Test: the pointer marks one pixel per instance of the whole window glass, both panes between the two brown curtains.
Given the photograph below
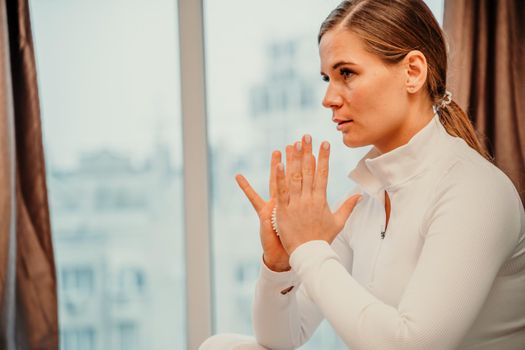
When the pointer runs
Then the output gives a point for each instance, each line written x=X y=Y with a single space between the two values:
x=109 y=87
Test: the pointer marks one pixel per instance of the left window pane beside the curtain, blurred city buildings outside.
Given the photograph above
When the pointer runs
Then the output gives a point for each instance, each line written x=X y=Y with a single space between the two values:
x=109 y=86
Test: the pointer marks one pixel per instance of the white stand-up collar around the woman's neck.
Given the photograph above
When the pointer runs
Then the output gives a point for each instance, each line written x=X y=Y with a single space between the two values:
x=376 y=172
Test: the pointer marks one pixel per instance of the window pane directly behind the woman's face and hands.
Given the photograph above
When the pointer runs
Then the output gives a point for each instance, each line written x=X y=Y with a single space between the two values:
x=264 y=91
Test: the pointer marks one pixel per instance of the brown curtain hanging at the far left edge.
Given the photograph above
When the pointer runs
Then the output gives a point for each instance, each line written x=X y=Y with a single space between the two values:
x=27 y=269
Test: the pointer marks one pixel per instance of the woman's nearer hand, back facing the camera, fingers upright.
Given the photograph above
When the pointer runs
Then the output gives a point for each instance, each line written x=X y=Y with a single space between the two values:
x=303 y=213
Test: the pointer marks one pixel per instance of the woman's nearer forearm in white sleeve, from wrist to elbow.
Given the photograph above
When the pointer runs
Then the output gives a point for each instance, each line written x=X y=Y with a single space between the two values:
x=360 y=319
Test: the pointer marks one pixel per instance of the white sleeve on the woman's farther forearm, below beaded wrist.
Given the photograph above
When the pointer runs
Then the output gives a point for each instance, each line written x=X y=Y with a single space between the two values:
x=286 y=321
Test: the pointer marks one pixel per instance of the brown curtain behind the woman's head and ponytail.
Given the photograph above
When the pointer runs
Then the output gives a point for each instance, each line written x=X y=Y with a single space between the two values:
x=487 y=75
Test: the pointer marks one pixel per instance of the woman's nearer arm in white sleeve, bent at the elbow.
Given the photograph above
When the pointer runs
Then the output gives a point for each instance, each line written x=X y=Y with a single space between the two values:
x=469 y=233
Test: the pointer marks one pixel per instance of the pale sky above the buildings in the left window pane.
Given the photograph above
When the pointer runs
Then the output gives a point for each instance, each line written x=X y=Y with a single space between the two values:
x=108 y=75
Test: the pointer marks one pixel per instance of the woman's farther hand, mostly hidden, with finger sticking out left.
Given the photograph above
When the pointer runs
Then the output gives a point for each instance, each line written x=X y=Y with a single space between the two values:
x=274 y=255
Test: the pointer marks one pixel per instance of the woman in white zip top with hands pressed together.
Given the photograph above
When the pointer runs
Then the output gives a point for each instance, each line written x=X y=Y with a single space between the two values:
x=430 y=251
